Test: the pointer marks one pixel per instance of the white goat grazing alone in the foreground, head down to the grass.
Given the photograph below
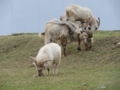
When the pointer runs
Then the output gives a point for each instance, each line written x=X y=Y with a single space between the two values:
x=47 y=55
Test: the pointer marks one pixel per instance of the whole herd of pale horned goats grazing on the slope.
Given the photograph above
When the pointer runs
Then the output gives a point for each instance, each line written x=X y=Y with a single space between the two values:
x=76 y=24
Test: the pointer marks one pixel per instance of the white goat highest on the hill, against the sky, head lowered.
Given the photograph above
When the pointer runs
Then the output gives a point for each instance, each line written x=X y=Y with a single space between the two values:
x=75 y=12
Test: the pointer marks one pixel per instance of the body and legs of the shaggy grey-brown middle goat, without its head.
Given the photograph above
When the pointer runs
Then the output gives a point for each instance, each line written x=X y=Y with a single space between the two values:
x=65 y=31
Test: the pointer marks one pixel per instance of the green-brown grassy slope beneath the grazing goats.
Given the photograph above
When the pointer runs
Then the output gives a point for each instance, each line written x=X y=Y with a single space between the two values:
x=95 y=69
